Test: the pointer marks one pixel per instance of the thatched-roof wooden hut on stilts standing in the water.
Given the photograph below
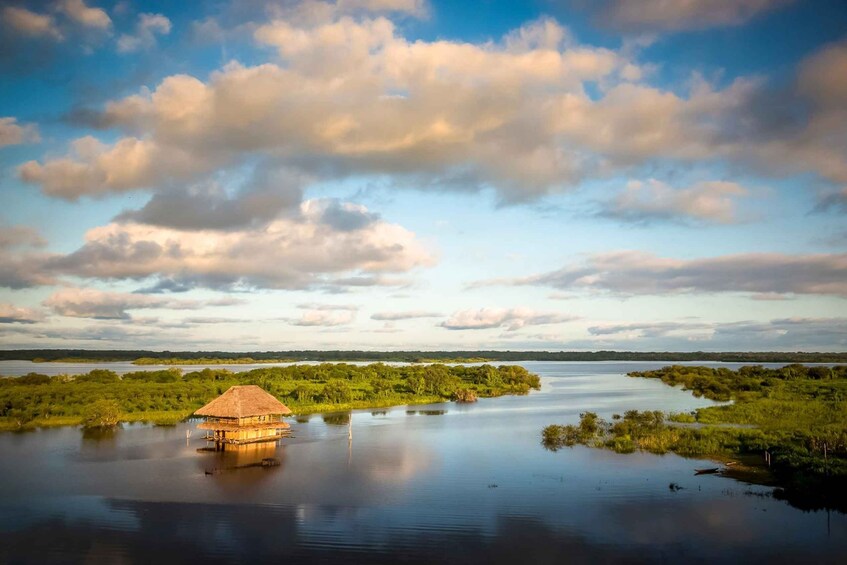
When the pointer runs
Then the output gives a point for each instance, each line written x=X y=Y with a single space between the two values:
x=244 y=414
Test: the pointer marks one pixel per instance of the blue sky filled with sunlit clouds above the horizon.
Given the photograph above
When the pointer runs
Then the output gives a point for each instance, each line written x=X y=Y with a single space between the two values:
x=643 y=175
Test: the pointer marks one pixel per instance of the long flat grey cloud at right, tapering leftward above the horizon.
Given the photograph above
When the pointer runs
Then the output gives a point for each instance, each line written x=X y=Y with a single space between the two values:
x=634 y=272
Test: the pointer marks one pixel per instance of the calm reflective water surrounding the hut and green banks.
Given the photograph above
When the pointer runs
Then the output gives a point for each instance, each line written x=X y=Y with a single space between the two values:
x=439 y=483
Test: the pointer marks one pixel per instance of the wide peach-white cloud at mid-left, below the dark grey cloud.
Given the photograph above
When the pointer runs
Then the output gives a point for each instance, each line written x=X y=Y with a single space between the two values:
x=291 y=252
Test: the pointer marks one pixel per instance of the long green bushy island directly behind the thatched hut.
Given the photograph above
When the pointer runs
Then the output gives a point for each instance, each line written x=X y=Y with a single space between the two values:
x=168 y=396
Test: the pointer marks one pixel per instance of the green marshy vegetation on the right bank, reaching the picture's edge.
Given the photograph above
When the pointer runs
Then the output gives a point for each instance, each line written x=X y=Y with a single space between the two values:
x=784 y=427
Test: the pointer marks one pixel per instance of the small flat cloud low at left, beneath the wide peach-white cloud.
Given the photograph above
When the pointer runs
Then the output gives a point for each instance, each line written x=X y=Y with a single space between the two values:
x=103 y=305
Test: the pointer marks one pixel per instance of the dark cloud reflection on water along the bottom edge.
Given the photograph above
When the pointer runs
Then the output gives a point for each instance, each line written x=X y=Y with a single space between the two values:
x=221 y=533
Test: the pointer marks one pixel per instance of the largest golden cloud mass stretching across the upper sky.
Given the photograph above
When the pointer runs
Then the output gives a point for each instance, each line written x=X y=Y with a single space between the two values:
x=354 y=96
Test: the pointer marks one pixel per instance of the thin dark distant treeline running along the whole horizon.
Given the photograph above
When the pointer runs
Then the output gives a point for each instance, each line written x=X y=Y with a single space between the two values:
x=418 y=356
